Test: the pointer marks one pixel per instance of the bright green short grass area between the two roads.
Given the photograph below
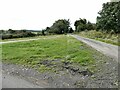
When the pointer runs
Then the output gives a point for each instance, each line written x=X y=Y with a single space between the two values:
x=31 y=53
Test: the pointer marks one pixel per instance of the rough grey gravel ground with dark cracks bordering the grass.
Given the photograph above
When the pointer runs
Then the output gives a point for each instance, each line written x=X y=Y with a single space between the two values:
x=70 y=75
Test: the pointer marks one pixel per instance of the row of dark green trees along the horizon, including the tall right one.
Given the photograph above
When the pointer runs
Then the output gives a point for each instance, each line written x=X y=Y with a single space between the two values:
x=107 y=21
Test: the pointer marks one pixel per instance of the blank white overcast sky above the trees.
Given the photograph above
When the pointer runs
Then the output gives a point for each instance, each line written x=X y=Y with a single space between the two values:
x=39 y=14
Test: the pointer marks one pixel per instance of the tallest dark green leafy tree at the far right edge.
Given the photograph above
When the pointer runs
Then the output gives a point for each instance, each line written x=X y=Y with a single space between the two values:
x=109 y=17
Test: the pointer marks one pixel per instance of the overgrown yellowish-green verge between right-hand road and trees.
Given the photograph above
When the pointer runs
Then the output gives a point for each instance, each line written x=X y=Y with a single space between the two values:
x=101 y=36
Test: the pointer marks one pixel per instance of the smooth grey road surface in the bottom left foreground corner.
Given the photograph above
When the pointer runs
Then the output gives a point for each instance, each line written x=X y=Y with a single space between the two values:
x=9 y=81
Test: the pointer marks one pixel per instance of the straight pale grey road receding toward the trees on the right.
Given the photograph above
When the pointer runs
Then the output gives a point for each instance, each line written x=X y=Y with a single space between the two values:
x=107 y=49
